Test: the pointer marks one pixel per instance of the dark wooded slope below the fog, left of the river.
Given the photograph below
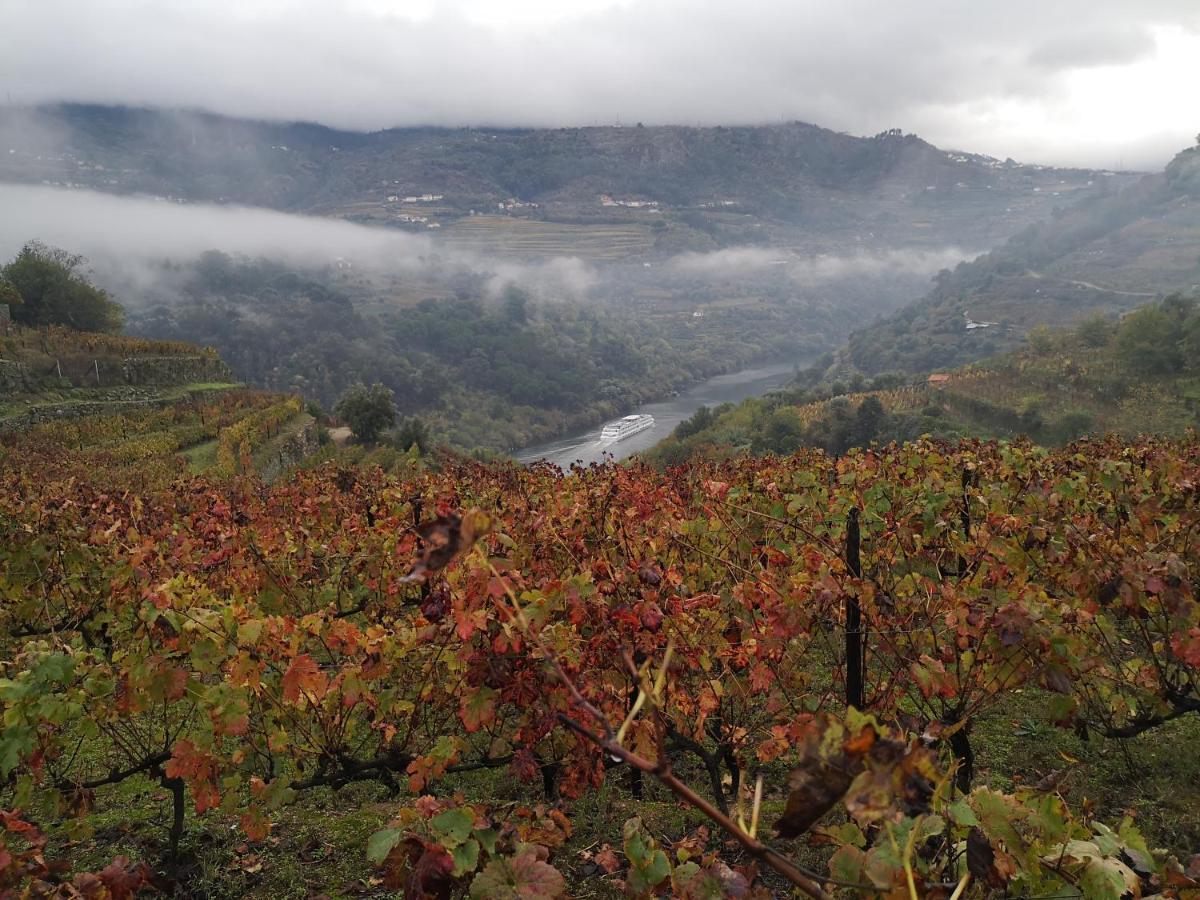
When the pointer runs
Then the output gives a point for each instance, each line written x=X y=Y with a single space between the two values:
x=485 y=374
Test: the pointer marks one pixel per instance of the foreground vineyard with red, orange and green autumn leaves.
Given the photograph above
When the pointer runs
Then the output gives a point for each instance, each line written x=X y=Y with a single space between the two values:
x=515 y=683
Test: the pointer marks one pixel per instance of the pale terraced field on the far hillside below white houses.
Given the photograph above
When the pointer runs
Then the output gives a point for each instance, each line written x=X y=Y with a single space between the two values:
x=523 y=237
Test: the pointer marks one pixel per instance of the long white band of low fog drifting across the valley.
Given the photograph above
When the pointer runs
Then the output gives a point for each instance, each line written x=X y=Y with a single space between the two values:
x=129 y=241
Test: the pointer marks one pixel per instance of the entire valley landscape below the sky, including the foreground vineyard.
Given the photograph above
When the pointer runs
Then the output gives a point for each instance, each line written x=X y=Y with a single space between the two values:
x=897 y=598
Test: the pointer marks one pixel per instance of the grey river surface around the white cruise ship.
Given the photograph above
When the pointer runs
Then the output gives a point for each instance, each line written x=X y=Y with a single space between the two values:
x=587 y=448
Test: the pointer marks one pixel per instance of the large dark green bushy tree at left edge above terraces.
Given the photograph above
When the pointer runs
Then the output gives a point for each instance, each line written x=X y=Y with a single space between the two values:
x=55 y=292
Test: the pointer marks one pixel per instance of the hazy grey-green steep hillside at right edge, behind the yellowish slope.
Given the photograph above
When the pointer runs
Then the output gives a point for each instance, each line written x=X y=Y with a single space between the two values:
x=1107 y=255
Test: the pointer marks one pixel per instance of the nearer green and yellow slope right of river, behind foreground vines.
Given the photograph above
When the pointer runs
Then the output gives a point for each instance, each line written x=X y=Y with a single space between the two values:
x=1133 y=376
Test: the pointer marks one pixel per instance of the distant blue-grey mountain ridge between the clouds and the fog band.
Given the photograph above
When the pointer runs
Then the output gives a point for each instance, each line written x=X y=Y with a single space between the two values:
x=799 y=184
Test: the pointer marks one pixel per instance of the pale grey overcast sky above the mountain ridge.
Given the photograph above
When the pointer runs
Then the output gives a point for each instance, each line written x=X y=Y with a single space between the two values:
x=1089 y=82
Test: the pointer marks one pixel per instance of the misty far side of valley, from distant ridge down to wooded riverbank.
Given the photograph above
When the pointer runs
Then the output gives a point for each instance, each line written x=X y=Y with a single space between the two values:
x=695 y=266
